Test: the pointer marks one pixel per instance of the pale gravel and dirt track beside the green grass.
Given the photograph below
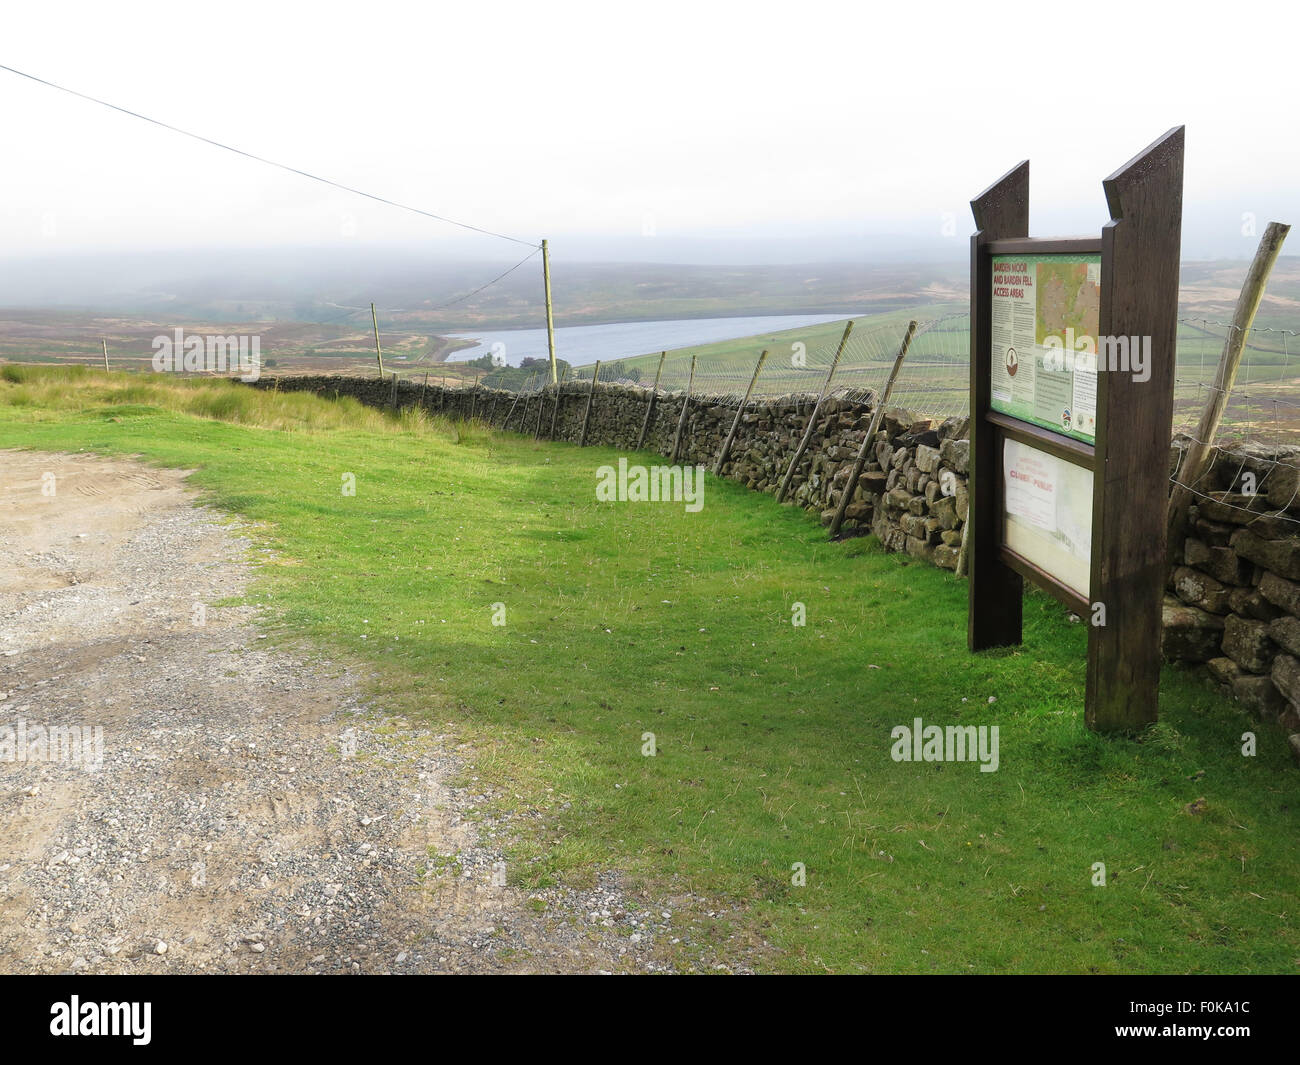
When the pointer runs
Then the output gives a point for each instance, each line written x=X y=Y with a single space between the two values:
x=242 y=808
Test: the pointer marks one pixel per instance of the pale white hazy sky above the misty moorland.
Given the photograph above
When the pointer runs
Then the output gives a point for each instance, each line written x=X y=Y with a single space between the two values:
x=600 y=124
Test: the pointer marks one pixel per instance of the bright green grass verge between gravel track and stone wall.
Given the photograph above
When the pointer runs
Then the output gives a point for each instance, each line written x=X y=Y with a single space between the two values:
x=773 y=741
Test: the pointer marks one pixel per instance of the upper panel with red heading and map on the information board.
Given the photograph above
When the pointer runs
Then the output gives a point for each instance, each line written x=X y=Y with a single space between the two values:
x=1046 y=319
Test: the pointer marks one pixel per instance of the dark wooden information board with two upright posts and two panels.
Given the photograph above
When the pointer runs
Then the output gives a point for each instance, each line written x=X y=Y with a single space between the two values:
x=1073 y=347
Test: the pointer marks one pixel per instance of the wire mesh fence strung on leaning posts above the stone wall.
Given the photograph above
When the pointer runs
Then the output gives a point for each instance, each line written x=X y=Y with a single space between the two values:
x=1251 y=473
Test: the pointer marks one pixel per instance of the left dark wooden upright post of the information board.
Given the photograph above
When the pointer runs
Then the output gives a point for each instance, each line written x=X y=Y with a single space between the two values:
x=995 y=590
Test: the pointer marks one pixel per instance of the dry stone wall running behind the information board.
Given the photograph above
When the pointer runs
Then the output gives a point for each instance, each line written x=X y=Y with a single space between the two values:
x=1234 y=594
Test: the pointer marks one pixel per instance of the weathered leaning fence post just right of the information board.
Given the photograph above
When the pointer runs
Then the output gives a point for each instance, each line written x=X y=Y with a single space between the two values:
x=1234 y=345
